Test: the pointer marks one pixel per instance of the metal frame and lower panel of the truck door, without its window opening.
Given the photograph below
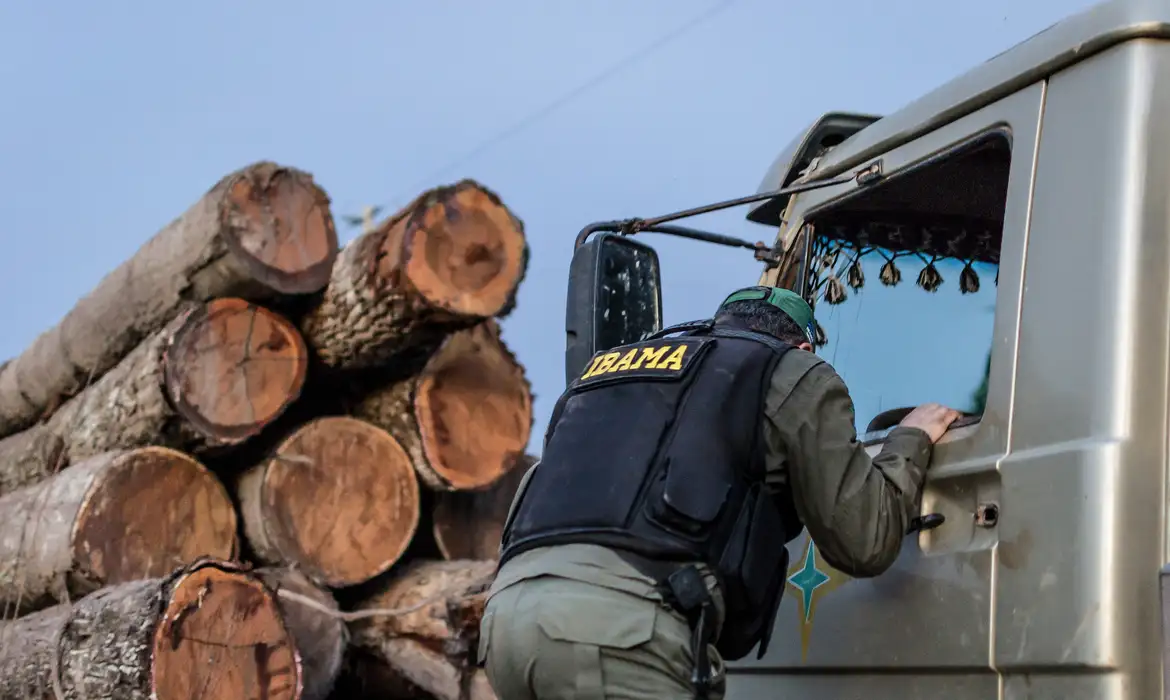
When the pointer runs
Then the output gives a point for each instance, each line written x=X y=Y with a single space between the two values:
x=891 y=623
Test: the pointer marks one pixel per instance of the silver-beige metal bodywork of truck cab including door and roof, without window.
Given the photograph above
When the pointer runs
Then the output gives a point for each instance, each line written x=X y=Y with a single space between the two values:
x=1062 y=598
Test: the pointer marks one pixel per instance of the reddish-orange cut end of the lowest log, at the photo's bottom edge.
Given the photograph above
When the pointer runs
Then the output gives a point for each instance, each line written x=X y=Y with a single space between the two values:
x=223 y=637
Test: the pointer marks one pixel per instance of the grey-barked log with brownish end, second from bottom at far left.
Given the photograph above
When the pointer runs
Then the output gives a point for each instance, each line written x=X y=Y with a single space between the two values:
x=115 y=518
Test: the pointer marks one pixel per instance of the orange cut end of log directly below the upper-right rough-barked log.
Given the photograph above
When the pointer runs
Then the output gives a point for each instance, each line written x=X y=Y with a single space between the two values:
x=474 y=410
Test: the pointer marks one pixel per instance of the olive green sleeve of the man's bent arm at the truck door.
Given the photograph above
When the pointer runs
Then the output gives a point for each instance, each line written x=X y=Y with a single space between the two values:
x=856 y=509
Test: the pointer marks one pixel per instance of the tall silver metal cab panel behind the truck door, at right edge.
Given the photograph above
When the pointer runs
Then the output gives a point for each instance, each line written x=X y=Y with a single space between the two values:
x=1086 y=477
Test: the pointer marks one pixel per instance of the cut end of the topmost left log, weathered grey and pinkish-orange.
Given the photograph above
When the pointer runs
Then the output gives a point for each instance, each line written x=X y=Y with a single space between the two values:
x=279 y=224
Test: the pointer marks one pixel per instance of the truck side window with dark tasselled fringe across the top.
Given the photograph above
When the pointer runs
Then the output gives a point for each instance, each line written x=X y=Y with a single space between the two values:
x=903 y=278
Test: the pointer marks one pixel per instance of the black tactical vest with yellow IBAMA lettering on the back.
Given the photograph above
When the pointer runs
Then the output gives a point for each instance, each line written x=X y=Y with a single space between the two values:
x=657 y=449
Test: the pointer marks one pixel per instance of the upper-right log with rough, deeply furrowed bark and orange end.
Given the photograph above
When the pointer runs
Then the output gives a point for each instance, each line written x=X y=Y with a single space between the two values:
x=451 y=259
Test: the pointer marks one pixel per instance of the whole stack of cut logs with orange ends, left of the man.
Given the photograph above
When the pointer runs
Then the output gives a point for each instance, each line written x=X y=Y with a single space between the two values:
x=254 y=464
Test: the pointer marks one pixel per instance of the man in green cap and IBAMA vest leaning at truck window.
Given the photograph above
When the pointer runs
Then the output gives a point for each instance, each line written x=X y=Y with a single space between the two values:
x=648 y=546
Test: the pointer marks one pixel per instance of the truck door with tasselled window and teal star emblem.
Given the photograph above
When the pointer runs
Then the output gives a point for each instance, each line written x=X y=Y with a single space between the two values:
x=917 y=285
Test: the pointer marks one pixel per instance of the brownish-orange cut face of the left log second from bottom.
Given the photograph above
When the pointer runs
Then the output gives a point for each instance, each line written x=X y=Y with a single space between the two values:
x=155 y=511
